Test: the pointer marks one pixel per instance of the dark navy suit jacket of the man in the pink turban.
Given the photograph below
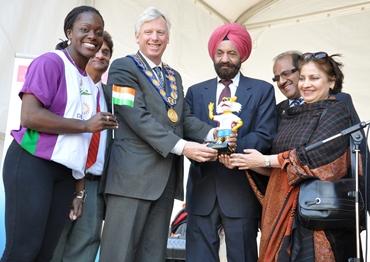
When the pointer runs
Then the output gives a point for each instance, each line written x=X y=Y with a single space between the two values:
x=211 y=180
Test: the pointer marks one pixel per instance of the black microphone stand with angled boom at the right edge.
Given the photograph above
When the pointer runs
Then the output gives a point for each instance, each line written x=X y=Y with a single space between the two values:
x=357 y=138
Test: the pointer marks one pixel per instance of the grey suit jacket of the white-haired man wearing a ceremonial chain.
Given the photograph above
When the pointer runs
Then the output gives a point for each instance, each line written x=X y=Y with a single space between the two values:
x=140 y=161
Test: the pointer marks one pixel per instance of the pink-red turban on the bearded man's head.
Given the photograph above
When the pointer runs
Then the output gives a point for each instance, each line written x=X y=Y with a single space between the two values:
x=237 y=34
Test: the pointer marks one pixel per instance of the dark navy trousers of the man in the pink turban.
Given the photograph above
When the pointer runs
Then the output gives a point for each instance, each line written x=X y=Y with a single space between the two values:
x=203 y=242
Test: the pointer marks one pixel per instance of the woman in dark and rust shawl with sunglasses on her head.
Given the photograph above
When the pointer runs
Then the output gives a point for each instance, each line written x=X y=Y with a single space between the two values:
x=283 y=237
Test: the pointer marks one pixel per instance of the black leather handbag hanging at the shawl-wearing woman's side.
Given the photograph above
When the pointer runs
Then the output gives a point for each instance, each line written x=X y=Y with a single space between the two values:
x=330 y=205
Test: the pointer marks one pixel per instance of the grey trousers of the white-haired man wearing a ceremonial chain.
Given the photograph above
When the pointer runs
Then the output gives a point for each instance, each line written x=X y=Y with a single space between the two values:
x=136 y=230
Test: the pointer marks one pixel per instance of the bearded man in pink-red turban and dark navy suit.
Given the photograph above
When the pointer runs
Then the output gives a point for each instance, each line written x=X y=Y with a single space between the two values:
x=218 y=196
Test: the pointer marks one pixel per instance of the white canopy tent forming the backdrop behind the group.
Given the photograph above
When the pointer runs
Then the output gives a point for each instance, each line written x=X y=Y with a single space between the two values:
x=32 y=27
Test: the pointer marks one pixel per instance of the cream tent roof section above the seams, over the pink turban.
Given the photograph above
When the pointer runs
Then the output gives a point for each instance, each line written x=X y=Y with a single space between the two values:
x=264 y=12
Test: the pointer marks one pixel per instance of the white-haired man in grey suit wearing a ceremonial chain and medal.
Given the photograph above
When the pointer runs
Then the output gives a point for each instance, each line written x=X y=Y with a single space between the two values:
x=145 y=171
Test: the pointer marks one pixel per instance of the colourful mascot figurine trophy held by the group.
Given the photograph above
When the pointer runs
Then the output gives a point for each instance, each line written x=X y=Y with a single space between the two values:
x=228 y=122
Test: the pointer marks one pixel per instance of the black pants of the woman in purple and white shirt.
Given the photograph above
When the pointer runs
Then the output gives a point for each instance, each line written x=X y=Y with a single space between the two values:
x=38 y=195
